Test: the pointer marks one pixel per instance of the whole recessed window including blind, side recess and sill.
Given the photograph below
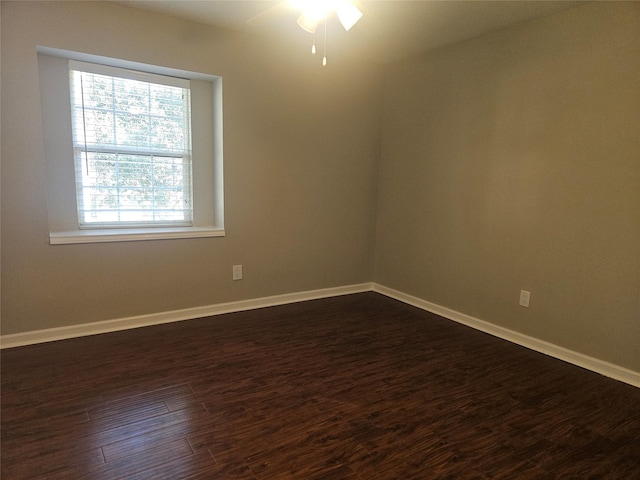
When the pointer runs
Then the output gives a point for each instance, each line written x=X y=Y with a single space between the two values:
x=132 y=151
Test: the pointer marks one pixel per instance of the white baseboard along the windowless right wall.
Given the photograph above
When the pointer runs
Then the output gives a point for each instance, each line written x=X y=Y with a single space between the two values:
x=599 y=366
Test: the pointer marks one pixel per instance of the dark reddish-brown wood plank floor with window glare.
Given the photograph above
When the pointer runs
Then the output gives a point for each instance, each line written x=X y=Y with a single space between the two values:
x=355 y=387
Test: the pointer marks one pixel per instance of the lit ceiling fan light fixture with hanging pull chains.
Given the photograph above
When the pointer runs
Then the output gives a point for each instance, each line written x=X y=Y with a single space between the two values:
x=316 y=11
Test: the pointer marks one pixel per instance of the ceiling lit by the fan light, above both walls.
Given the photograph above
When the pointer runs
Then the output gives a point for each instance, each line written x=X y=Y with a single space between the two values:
x=389 y=30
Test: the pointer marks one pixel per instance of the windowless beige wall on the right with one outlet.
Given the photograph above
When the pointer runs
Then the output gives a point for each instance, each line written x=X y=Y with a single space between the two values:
x=511 y=162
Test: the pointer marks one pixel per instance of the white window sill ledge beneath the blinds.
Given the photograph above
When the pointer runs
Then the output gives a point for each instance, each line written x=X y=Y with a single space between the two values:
x=132 y=234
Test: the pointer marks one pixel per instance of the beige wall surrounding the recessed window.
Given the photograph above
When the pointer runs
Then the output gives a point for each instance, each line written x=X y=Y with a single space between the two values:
x=301 y=147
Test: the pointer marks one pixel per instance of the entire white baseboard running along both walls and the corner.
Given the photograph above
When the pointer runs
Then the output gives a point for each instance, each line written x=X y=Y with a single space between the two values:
x=600 y=366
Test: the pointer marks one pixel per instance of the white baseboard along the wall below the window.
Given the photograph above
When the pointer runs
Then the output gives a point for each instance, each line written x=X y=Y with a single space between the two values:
x=106 y=326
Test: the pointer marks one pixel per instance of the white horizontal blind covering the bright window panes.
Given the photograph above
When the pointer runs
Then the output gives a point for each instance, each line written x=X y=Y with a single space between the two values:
x=132 y=144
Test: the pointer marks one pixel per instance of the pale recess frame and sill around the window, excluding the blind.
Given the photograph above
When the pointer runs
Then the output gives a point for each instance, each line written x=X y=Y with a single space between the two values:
x=206 y=120
